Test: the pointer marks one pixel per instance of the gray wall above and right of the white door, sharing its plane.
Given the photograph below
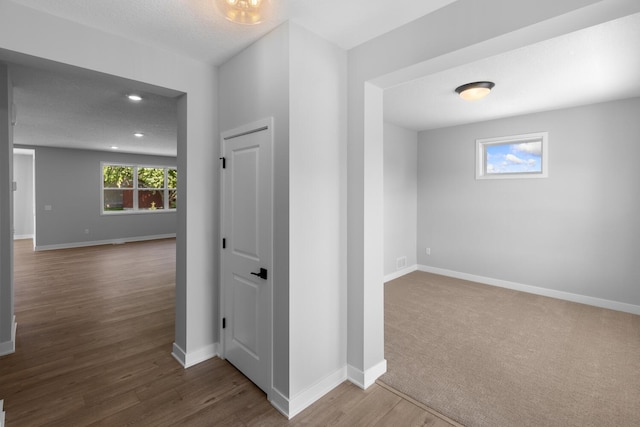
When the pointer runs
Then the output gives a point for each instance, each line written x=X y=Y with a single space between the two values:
x=254 y=85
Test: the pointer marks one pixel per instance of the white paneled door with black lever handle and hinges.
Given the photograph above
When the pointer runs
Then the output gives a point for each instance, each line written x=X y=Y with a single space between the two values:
x=246 y=261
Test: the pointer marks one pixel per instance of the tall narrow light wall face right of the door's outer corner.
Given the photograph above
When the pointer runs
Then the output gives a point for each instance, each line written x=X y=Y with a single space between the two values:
x=317 y=208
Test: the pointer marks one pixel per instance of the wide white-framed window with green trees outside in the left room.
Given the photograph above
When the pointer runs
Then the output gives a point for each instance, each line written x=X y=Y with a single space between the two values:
x=134 y=188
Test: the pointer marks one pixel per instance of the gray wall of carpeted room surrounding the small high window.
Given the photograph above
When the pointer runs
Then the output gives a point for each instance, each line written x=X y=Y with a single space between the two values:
x=576 y=231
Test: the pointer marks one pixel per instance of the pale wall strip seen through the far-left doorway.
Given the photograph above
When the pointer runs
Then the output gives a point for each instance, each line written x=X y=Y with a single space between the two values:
x=23 y=196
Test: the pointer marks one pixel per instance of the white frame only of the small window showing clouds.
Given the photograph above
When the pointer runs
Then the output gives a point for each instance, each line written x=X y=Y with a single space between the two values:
x=481 y=155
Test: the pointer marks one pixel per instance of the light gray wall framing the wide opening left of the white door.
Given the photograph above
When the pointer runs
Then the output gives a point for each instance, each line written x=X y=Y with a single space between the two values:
x=72 y=43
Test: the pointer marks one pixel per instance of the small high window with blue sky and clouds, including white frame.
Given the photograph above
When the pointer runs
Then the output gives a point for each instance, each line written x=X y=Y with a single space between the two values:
x=518 y=156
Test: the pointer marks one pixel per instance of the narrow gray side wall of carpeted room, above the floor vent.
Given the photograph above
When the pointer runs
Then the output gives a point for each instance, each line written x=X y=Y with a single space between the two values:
x=400 y=198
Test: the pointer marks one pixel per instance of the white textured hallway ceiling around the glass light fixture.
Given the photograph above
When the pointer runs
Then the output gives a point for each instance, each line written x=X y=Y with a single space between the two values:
x=195 y=27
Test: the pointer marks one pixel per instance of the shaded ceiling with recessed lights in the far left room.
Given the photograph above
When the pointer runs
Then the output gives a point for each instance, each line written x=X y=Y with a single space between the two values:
x=73 y=108
